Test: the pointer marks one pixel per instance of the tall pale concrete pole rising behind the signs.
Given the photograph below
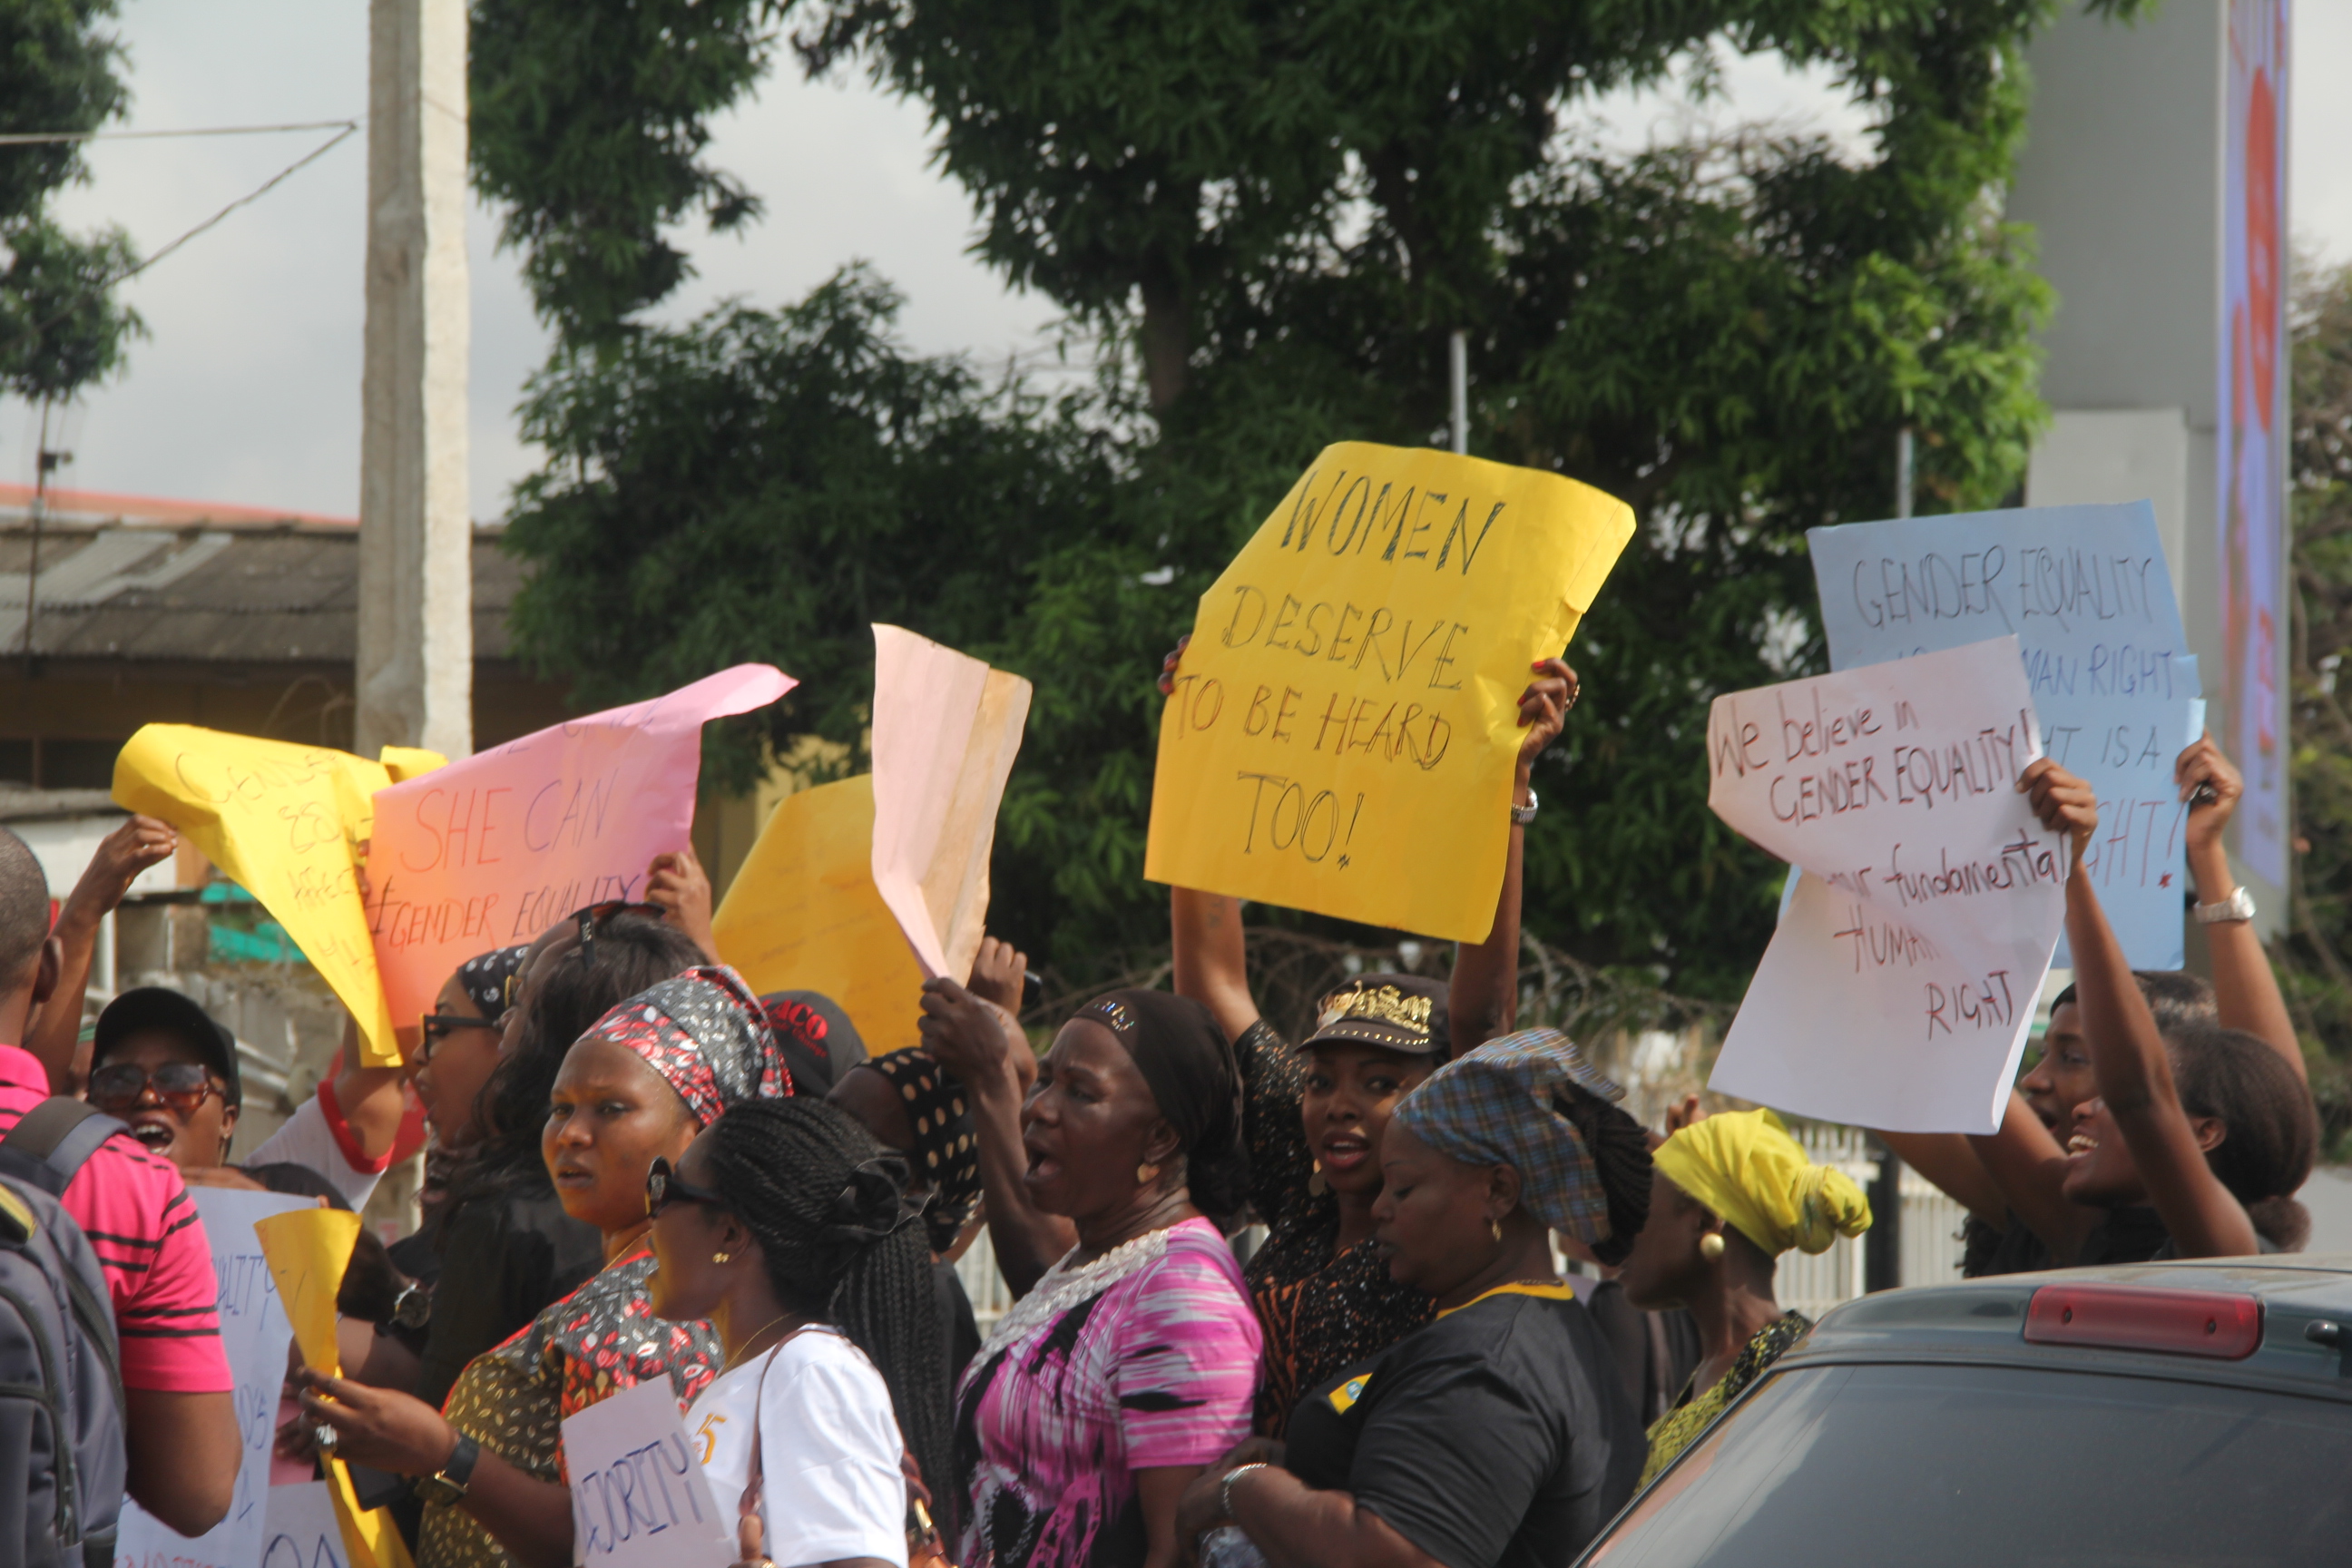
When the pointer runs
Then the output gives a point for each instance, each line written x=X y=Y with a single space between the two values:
x=415 y=662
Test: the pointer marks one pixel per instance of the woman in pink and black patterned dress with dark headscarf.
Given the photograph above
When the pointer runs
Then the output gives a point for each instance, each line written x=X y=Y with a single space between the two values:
x=1132 y=1365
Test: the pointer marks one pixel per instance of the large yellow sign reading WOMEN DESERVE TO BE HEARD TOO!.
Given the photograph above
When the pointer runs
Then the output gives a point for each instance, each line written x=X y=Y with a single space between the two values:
x=1347 y=718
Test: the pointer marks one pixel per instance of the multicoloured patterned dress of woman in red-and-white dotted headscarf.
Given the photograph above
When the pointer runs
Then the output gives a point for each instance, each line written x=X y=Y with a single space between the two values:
x=512 y=1400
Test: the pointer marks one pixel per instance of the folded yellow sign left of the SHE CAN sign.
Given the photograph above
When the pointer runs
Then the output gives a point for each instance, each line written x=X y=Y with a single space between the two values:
x=288 y=824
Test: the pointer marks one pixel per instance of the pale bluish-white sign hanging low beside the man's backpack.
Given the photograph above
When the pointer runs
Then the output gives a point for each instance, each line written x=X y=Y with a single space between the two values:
x=255 y=1334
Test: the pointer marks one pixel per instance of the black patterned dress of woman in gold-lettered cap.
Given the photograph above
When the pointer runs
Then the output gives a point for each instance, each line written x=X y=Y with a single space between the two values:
x=1321 y=1315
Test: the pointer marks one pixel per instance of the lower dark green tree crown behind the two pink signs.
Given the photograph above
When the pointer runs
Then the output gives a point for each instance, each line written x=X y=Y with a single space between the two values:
x=770 y=483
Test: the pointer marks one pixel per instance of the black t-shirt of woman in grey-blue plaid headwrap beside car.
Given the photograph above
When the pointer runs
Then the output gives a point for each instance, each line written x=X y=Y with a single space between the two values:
x=1492 y=1438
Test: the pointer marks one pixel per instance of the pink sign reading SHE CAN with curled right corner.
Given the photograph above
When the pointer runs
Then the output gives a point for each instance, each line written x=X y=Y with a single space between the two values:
x=502 y=845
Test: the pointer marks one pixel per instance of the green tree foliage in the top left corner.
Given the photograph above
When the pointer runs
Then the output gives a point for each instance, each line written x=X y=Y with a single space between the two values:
x=60 y=321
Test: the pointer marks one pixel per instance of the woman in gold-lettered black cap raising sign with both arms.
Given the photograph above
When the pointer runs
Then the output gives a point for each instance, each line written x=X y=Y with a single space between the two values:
x=1316 y=1118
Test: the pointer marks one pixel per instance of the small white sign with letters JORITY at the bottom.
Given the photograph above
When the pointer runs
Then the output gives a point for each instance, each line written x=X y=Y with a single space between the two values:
x=639 y=1489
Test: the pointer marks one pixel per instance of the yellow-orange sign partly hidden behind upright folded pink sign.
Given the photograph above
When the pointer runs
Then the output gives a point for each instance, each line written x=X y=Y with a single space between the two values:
x=806 y=913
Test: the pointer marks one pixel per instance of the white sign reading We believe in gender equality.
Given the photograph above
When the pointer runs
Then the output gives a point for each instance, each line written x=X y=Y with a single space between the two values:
x=1902 y=981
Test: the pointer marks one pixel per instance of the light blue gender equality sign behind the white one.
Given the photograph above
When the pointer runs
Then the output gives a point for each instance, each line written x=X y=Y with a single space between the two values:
x=2111 y=674
